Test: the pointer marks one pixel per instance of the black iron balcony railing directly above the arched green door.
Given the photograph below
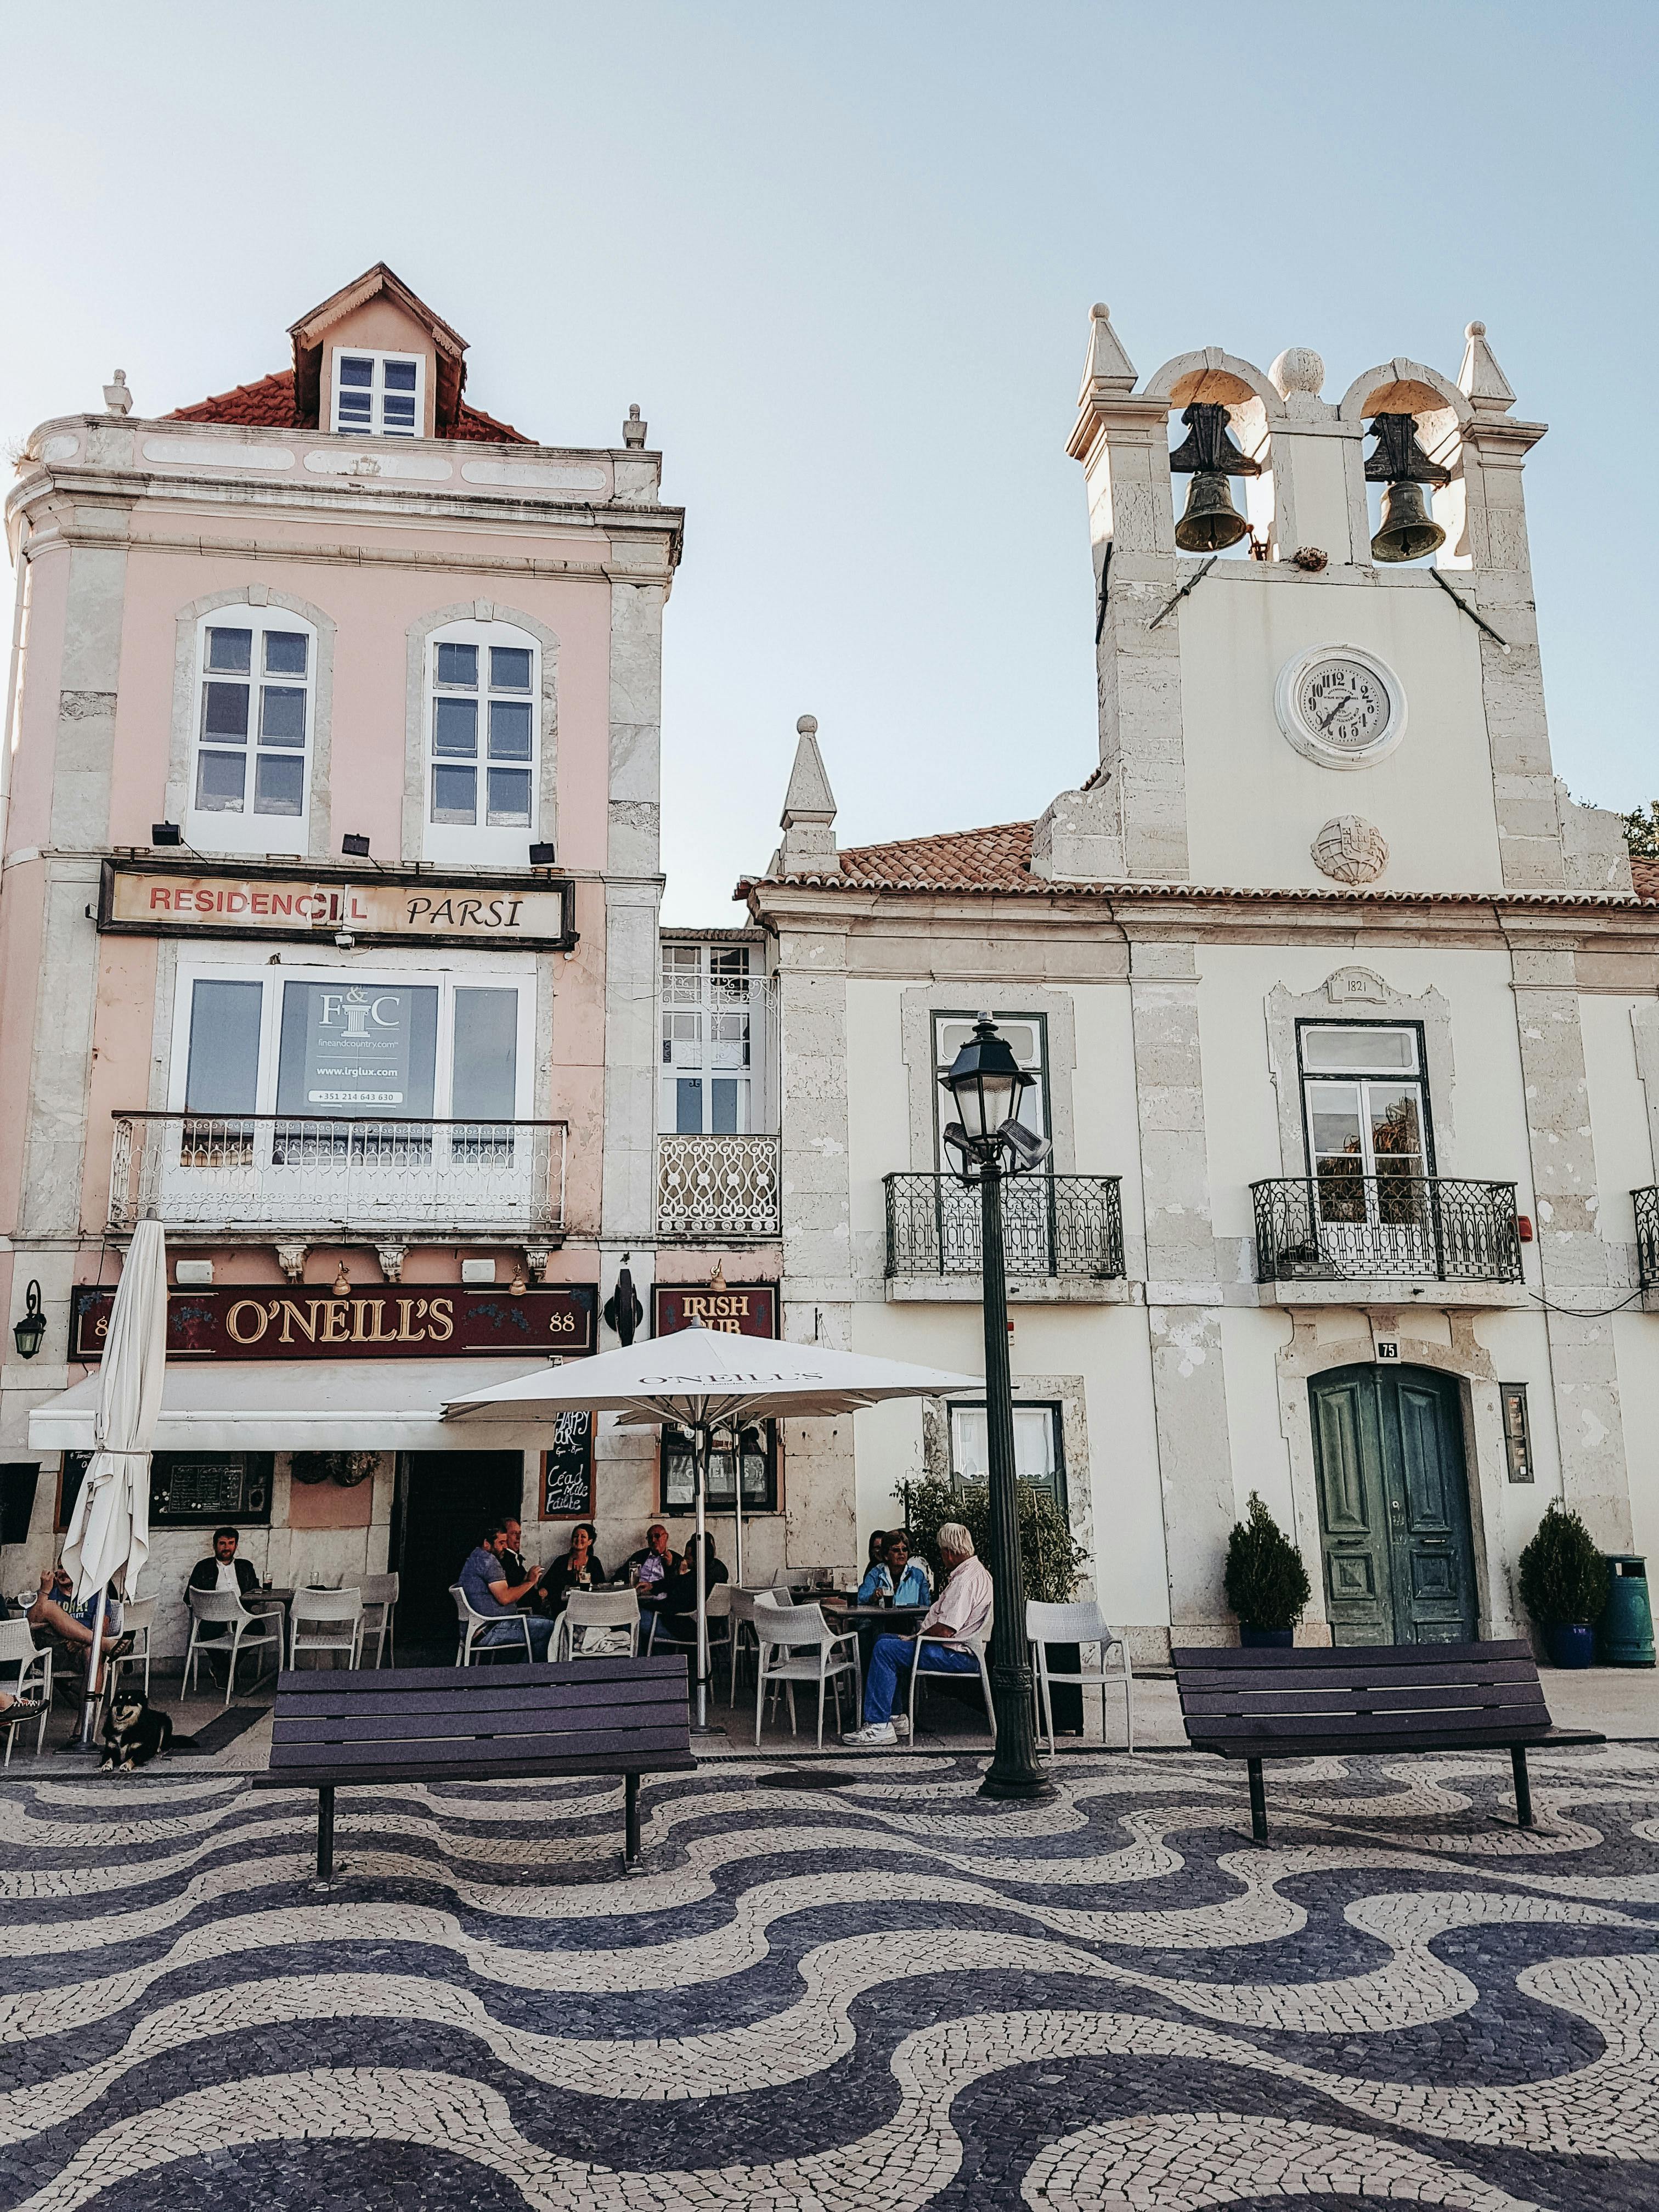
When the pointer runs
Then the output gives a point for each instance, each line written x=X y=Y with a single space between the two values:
x=1419 y=1229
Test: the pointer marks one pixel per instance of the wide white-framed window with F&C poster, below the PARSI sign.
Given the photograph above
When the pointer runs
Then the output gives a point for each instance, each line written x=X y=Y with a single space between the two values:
x=355 y=1045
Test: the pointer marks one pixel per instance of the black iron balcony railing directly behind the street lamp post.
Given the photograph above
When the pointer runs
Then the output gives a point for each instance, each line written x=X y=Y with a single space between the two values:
x=1052 y=1224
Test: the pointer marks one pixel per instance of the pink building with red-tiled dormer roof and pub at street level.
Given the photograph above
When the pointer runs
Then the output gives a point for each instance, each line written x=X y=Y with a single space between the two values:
x=331 y=937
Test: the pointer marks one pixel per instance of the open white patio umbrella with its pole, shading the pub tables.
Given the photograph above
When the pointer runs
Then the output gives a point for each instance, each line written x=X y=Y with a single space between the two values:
x=707 y=1379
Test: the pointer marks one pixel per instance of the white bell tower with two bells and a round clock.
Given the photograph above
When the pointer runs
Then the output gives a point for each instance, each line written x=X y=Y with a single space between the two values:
x=1324 y=667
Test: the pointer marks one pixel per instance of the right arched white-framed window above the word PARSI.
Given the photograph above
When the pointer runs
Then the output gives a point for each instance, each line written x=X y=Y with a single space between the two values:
x=483 y=742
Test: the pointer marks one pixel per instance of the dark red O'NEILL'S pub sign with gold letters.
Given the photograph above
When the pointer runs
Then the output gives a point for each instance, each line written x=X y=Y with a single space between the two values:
x=306 y=1322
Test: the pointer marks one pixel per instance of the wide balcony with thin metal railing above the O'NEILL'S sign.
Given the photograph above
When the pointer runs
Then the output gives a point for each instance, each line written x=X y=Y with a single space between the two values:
x=229 y=1176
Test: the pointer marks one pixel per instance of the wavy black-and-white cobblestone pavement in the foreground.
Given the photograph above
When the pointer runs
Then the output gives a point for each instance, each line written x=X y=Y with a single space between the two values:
x=881 y=1996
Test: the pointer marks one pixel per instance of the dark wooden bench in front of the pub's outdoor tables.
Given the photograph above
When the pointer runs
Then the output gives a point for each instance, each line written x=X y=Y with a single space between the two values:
x=479 y=1724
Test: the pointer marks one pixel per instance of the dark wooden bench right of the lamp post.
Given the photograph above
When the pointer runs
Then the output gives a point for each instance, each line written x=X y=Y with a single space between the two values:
x=1368 y=1698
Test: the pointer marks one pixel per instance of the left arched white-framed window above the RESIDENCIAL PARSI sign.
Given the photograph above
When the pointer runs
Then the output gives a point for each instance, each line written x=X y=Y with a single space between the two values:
x=251 y=758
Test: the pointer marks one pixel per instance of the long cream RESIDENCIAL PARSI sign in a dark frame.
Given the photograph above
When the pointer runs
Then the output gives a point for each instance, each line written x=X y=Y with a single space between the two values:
x=375 y=908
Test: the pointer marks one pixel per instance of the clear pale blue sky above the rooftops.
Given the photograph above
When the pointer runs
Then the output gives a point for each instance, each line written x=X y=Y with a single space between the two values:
x=844 y=258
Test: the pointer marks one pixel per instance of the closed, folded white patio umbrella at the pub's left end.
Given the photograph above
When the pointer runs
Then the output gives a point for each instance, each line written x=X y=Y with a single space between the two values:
x=109 y=1532
